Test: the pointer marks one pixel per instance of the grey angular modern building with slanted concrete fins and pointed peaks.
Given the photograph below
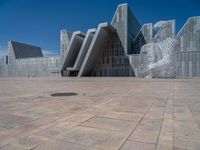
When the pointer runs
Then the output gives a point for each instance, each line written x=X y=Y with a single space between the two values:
x=111 y=49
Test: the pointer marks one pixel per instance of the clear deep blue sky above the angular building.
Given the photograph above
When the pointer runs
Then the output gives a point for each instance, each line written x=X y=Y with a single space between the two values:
x=38 y=22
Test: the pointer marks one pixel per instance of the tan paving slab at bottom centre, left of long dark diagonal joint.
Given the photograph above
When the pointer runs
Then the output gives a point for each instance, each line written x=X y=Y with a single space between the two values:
x=93 y=137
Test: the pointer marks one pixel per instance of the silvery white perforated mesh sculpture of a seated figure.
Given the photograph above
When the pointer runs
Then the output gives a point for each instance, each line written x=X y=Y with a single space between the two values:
x=157 y=59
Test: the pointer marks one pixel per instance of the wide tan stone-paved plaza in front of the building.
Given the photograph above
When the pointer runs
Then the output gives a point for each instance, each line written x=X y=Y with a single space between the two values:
x=99 y=113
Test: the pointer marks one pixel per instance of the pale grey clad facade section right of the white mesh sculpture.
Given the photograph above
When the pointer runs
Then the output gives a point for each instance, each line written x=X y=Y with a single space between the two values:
x=188 y=60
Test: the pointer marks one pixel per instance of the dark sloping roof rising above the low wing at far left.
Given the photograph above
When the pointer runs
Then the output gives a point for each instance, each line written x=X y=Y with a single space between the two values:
x=22 y=50
